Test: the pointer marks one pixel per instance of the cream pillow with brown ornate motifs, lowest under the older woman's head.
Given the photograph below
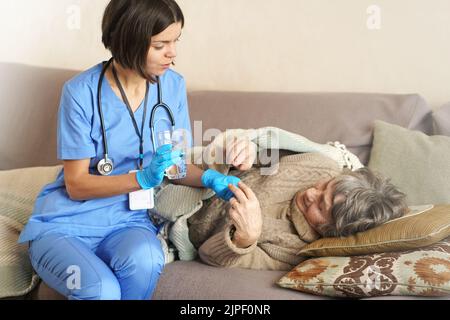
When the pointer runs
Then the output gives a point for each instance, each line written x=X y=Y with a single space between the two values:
x=419 y=272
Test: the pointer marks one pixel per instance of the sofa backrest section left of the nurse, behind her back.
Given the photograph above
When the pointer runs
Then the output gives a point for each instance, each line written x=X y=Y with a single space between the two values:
x=29 y=105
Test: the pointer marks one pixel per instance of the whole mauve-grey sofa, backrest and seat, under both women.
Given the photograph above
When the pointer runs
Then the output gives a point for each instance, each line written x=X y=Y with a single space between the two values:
x=30 y=98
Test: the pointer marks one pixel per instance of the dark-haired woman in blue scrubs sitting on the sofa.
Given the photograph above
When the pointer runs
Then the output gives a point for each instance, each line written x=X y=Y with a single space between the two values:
x=84 y=241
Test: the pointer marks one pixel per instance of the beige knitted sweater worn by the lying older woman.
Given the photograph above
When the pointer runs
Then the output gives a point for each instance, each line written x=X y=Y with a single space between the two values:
x=285 y=230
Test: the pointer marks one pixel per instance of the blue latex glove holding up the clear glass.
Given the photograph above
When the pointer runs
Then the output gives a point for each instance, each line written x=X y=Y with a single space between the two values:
x=153 y=175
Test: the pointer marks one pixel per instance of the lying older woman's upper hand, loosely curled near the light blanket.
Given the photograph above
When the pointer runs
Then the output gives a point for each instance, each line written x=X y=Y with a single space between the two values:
x=241 y=153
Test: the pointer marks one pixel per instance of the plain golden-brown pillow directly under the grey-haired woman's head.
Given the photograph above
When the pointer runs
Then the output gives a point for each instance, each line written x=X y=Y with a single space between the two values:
x=422 y=226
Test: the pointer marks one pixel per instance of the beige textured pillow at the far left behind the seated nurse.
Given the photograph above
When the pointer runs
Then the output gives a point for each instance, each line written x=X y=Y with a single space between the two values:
x=18 y=191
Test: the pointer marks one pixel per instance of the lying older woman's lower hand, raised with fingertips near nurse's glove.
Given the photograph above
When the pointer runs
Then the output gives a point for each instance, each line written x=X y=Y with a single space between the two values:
x=245 y=214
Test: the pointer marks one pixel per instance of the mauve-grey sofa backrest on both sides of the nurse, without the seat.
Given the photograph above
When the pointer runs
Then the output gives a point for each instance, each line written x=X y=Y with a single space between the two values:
x=30 y=99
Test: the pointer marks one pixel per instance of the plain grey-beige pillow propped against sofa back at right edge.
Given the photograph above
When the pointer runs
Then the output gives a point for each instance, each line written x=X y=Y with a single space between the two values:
x=416 y=163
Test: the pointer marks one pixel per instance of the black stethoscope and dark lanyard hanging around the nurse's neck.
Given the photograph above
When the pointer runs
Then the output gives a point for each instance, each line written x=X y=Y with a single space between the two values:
x=106 y=166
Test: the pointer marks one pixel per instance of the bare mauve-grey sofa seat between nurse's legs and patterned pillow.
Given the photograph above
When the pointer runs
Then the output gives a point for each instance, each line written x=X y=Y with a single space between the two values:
x=183 y=280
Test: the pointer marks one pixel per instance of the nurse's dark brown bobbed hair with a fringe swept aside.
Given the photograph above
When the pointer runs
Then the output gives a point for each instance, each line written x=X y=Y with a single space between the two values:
x=128 y=26
